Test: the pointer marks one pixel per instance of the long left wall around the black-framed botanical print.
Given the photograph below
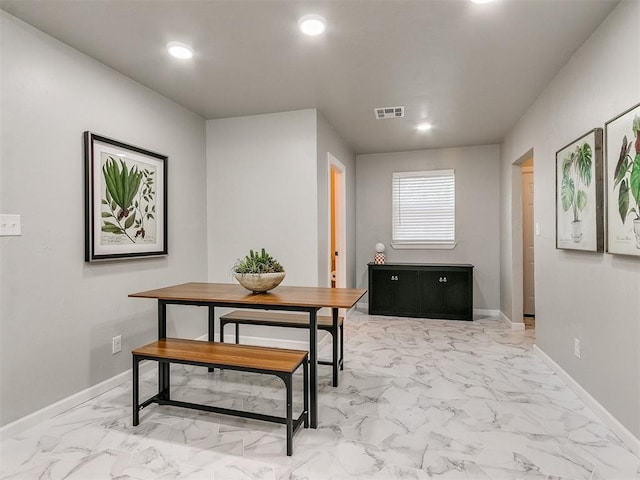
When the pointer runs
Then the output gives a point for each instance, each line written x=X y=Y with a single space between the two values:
x=58 y=314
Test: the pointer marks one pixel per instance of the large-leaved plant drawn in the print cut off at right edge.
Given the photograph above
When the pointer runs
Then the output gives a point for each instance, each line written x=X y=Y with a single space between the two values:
x=627 y=177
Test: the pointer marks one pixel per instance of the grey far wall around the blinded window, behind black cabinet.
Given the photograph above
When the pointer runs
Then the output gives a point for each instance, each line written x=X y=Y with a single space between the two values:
x=477 y=213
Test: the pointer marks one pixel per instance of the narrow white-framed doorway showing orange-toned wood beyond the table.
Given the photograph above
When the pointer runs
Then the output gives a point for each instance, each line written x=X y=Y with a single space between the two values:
x=337 y=225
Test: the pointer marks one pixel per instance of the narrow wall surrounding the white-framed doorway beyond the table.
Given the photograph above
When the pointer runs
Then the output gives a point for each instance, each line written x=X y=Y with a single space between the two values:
x=329 y=141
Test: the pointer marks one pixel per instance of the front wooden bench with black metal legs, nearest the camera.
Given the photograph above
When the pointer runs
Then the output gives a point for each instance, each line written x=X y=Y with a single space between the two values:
x=272 y=361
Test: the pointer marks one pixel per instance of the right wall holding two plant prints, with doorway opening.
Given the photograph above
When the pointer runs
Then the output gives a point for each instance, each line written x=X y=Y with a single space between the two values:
x=592 y=297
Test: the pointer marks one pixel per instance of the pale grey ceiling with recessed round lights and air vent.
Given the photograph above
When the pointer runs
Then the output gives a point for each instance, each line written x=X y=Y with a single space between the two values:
x=471 y=70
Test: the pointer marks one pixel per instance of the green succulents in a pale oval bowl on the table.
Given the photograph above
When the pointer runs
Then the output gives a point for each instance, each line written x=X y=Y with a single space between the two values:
x=258 y=272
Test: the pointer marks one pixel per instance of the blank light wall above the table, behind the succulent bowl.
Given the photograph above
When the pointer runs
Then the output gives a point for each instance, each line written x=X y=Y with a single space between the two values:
x=262 y=192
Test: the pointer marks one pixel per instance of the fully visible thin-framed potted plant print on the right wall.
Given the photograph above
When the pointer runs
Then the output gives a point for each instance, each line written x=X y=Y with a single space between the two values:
x=579 y=210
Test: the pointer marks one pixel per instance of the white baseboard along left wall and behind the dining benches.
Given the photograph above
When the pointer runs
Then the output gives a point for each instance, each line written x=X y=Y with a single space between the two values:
x=18 y=426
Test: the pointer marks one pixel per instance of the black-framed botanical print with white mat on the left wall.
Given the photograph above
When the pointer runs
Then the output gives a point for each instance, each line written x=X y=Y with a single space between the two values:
x=126 y=200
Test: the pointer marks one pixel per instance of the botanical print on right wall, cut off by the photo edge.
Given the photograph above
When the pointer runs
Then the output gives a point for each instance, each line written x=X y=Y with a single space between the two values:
x=623 y=183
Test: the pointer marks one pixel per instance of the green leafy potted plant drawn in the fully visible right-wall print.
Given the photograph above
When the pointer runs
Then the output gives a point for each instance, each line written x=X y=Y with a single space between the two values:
x=576 y=172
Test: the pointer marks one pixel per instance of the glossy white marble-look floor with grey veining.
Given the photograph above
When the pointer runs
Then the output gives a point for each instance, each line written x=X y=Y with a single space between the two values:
x=417 y=399
